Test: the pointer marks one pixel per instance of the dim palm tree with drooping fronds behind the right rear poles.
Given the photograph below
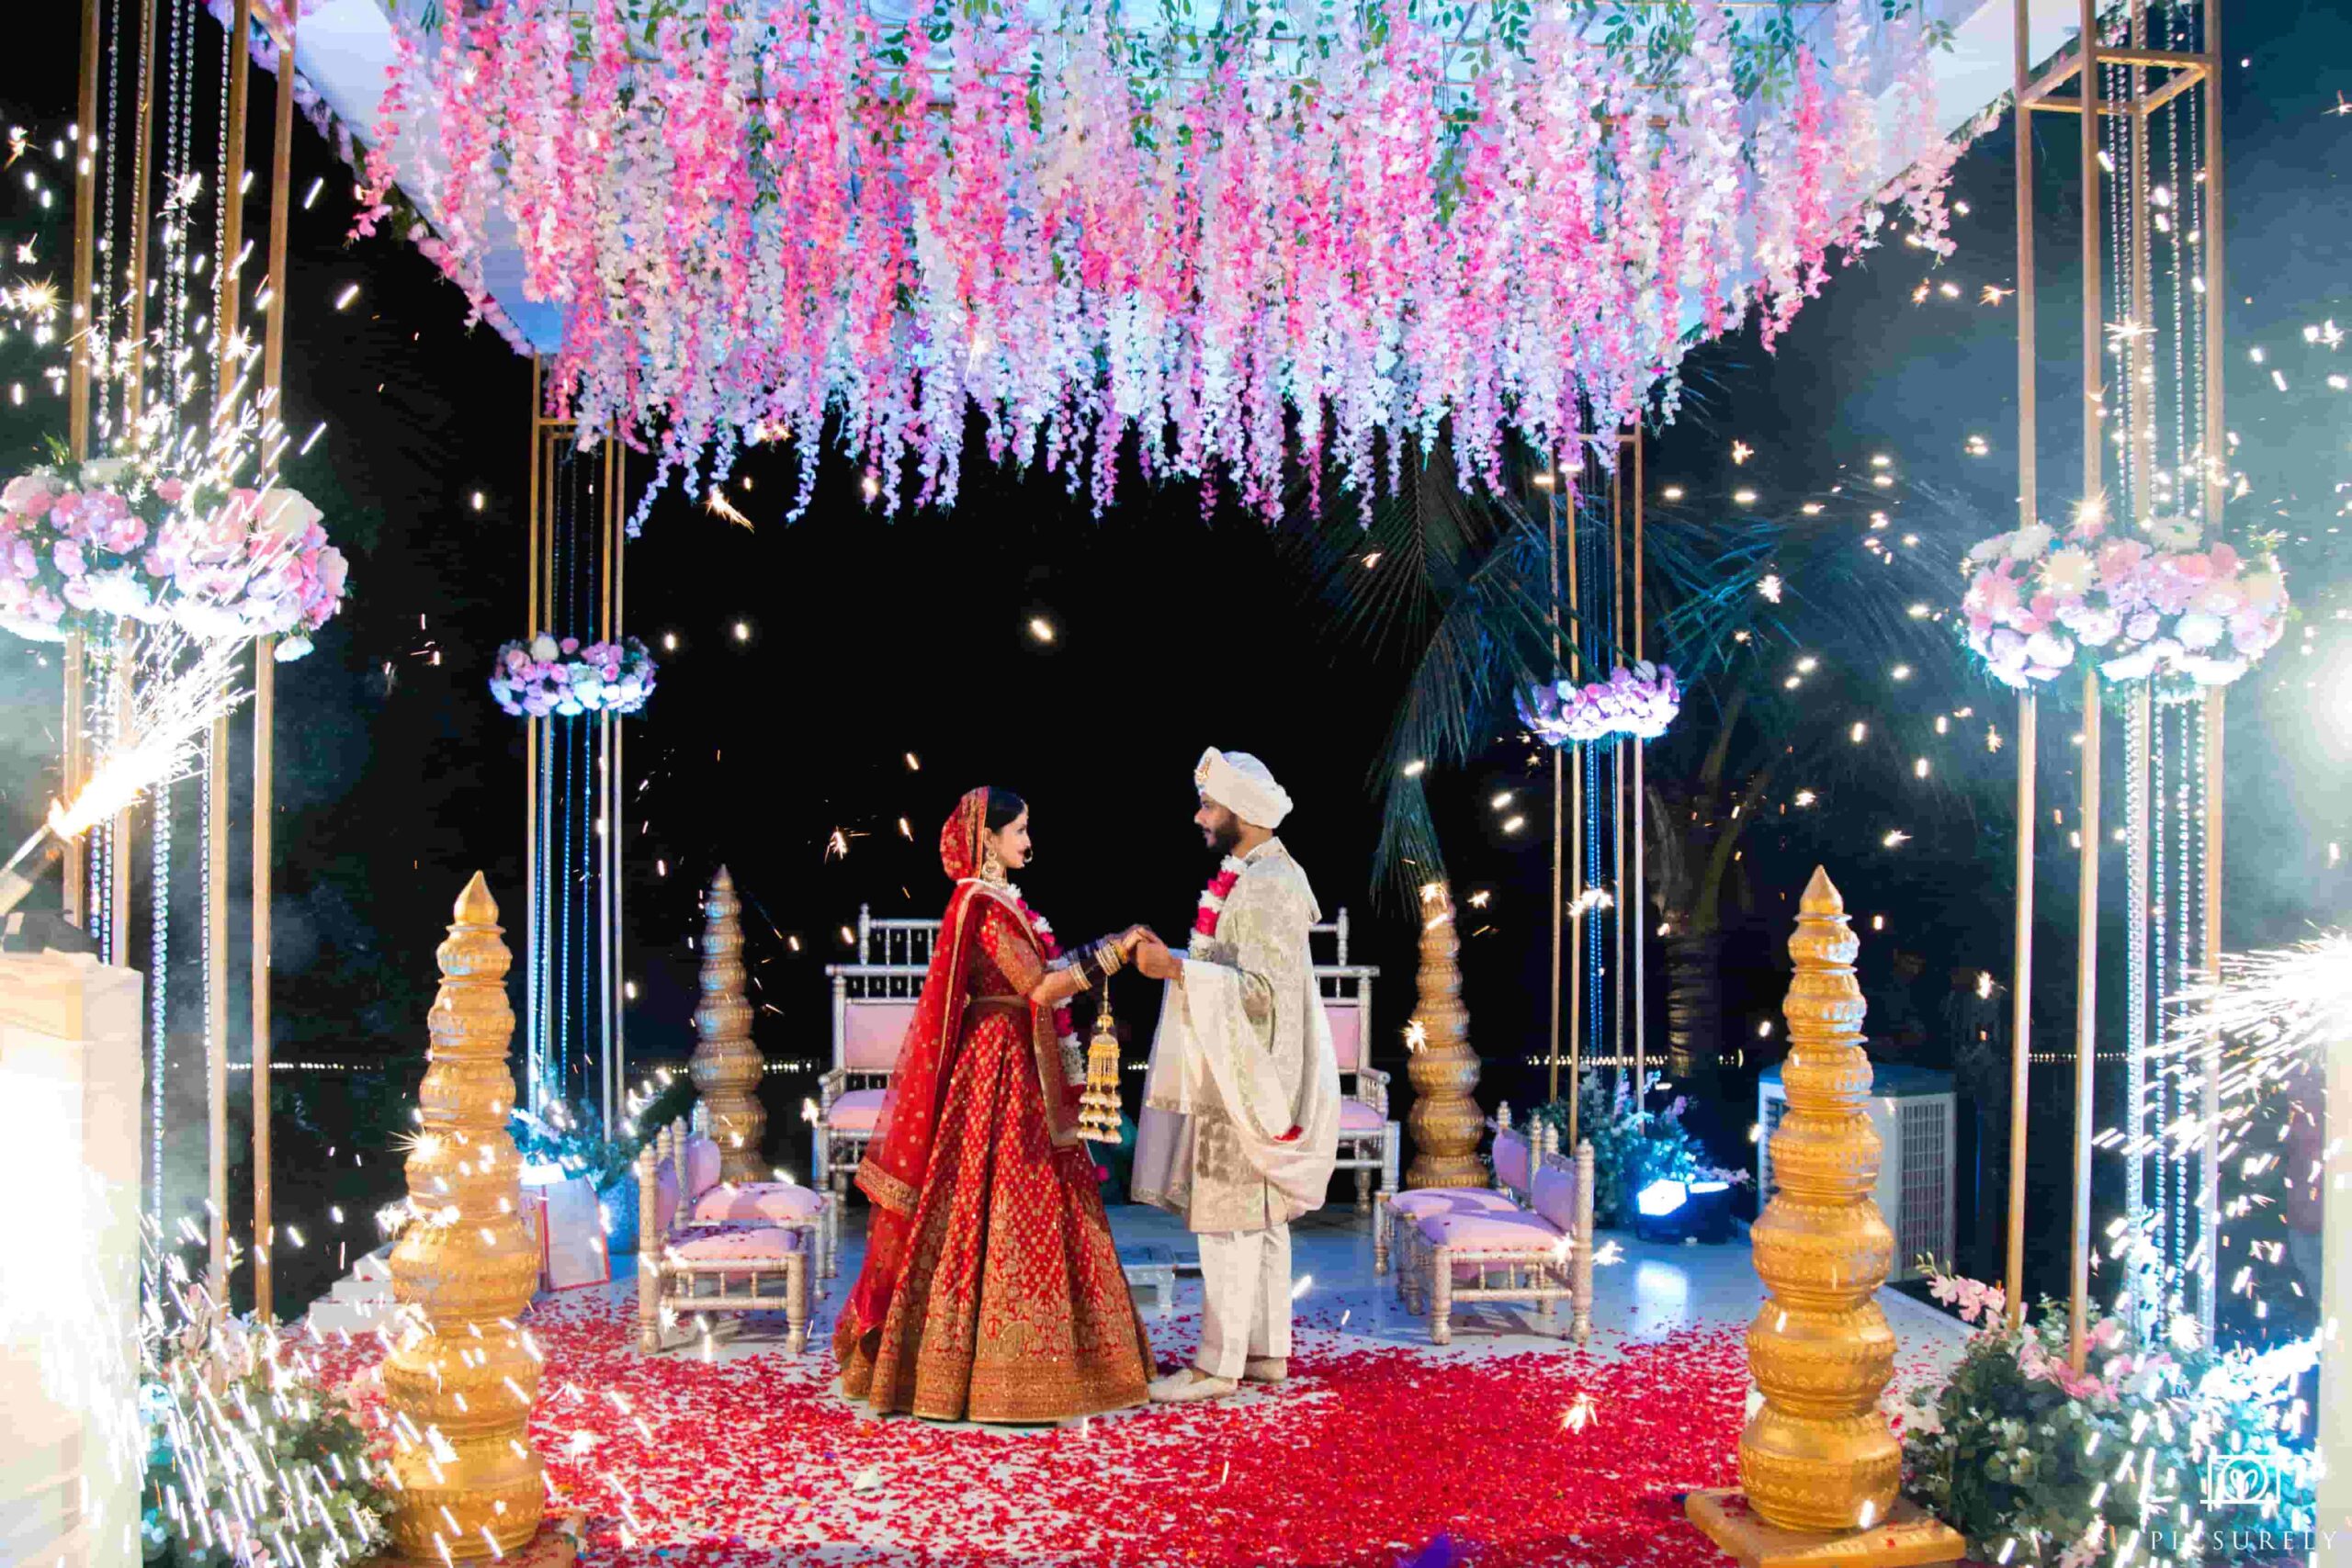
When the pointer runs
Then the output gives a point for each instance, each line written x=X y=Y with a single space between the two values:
x=1789 y=638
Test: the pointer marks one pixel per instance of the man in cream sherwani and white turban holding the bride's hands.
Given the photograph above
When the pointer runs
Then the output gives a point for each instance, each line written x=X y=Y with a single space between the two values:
x=1241 y=1104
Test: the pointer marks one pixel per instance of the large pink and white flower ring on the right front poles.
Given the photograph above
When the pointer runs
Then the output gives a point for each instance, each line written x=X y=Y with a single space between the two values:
x=2165 y=608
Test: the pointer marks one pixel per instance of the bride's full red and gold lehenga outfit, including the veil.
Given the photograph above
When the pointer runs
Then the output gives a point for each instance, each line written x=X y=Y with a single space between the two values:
x=991 y=1285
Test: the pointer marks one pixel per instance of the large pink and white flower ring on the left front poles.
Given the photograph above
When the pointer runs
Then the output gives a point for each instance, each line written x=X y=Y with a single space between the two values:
x=100 y=542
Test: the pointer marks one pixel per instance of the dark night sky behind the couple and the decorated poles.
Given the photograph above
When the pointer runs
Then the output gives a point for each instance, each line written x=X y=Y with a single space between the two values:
x=876 y=638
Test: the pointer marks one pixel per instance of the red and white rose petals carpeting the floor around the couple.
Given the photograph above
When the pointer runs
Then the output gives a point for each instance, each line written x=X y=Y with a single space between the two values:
x=1546 y=1456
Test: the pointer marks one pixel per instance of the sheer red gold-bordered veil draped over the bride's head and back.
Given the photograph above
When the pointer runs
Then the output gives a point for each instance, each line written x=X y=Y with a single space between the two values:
x=900 y=1155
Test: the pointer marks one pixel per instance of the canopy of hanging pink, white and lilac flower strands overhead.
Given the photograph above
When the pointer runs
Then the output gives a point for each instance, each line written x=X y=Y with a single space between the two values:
x=1241 y=236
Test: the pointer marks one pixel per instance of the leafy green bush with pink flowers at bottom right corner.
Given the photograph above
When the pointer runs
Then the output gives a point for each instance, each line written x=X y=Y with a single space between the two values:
x=2118 y=1470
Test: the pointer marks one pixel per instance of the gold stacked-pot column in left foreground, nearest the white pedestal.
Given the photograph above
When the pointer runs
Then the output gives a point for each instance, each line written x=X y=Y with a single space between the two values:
x=462 y=1381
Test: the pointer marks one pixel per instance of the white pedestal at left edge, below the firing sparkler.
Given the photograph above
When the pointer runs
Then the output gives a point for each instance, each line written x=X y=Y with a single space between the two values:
x=72 y=1449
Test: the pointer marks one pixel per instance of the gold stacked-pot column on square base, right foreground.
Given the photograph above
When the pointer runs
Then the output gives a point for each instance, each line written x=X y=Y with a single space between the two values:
x=1819 y=1463
